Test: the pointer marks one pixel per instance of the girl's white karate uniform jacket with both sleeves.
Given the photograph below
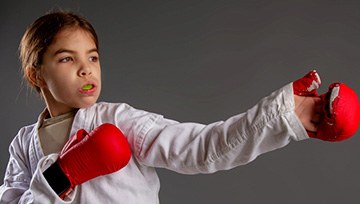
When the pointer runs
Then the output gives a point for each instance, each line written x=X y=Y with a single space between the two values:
x=156 y=142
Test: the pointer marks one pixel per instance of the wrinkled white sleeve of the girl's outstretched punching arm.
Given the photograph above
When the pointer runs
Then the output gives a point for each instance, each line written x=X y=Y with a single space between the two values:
x=192 y=148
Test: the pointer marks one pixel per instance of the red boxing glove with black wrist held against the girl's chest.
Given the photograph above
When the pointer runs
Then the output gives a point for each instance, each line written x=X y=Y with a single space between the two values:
x=86 y=156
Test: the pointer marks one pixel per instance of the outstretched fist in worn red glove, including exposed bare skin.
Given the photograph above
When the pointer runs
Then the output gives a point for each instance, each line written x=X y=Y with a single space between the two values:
x=334 y=115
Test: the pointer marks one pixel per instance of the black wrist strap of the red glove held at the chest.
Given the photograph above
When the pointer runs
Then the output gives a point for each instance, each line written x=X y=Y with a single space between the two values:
x=57 y=179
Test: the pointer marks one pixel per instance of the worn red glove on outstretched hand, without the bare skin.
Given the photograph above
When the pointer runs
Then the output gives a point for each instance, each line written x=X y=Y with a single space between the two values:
x=340 y=105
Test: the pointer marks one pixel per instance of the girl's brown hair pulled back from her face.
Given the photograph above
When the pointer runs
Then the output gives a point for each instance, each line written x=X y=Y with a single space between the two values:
x=39 y=36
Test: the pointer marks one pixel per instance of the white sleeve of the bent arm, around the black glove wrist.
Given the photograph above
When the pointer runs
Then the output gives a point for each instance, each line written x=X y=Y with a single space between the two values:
x=20 y=186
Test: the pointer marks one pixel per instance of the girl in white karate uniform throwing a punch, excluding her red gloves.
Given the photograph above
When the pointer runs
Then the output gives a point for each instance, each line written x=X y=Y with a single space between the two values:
x=60 y=59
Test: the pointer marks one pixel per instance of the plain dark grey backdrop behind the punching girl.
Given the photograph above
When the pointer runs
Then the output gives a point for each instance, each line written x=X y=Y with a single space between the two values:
x=204 y=61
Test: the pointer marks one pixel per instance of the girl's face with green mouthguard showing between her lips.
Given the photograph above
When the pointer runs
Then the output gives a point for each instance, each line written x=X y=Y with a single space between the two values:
x=71 y=72
